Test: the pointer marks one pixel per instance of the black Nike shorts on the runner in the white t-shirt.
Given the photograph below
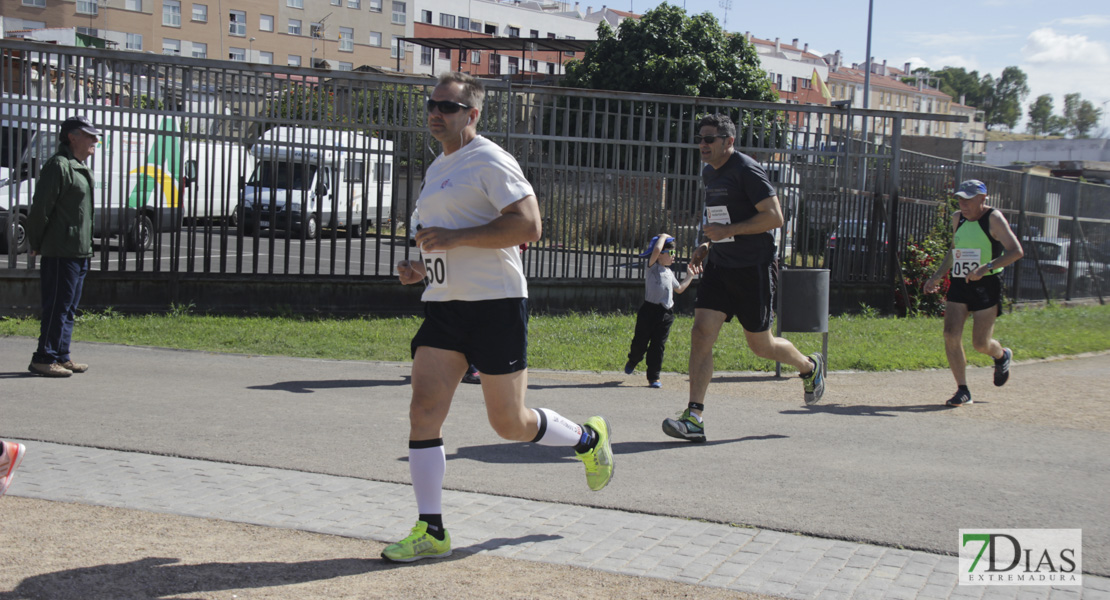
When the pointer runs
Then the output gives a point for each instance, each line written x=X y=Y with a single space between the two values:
x=493 y=334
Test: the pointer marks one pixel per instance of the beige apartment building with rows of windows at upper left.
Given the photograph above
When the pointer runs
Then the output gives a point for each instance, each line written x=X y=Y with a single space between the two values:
x=328 y=34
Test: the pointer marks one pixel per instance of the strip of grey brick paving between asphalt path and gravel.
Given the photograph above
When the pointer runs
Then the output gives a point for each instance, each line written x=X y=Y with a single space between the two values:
x=742 y=560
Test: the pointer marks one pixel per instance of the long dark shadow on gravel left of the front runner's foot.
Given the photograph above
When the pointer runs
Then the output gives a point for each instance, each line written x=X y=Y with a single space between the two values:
x=160 y=577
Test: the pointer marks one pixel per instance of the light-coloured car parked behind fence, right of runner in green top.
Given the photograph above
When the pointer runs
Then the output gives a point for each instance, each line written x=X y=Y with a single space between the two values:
x=1051 y=256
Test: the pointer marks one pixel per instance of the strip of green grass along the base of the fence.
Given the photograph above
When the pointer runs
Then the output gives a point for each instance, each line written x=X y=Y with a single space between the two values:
x=592 y=342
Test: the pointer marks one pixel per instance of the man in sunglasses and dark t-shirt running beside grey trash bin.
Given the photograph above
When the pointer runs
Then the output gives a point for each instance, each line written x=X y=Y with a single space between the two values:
x=740 y=271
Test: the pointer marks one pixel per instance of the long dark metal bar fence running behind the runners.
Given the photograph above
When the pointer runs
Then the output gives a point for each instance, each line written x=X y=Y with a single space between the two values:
x=611 y=170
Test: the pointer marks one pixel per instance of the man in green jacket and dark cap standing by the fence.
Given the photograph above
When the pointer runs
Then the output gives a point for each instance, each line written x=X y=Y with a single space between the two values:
x=60 y=231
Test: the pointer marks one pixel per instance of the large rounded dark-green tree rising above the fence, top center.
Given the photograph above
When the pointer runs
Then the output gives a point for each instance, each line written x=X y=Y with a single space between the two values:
x=671 y=54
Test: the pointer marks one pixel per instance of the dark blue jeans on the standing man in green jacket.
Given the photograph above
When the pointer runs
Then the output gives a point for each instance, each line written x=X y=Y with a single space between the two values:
x=63 y=280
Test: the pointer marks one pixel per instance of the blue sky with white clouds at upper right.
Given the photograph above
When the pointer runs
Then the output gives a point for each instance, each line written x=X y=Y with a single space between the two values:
x=1064 y=46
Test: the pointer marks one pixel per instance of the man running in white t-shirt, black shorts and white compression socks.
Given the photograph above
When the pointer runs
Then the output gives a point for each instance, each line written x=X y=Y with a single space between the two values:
x=476 y=210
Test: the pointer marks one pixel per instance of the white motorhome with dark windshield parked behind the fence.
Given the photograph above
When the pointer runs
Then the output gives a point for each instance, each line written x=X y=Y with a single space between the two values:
x=309 y=178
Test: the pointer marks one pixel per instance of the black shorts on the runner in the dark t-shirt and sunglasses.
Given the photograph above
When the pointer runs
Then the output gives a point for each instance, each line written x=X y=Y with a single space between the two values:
x=746 y=293
